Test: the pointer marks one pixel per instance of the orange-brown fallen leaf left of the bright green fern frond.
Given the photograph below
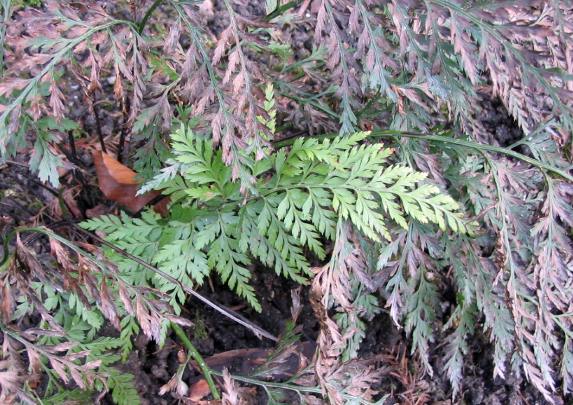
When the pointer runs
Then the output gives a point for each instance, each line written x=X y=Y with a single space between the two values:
x=118 y=183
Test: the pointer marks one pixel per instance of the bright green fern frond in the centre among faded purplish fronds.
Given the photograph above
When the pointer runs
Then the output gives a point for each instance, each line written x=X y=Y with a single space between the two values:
x=296 y=198
